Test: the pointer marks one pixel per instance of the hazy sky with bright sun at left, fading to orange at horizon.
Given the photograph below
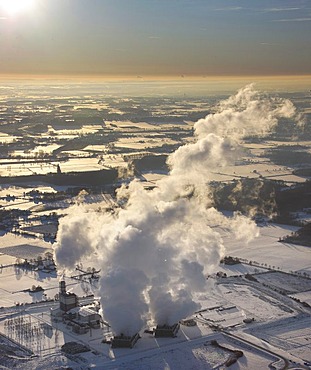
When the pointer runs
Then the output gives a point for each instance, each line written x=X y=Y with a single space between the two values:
x=156 y=37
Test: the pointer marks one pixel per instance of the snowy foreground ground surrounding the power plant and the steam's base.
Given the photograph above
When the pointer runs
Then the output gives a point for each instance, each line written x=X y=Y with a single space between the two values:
x=281 y=323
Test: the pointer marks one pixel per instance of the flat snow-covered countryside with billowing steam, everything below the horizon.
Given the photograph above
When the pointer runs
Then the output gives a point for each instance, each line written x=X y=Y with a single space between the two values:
x=138 y=199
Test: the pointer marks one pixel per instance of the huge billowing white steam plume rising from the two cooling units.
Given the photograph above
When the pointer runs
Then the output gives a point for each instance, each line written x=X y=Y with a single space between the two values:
x=155 y=252
